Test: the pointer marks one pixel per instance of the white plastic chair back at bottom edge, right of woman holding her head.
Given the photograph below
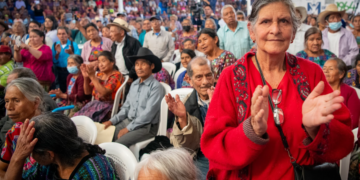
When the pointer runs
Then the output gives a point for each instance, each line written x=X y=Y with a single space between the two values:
x=124 y=160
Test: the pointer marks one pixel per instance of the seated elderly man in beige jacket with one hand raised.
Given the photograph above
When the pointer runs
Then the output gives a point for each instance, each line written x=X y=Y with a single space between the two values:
x=190 y=114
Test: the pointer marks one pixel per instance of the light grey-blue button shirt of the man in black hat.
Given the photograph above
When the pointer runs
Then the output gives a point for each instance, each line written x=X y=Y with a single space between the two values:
x=142 y=105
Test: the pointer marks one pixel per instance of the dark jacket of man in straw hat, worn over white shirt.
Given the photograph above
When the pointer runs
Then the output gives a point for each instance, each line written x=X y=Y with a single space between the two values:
x=131 y=47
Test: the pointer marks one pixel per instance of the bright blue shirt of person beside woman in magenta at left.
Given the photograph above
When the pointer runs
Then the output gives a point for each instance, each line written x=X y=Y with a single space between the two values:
x=62 y=61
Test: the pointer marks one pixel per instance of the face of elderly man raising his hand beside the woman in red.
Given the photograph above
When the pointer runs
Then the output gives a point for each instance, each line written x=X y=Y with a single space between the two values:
x=202 y=78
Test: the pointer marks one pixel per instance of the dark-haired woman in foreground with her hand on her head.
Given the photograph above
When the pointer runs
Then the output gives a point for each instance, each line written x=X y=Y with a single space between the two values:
x=52 y=140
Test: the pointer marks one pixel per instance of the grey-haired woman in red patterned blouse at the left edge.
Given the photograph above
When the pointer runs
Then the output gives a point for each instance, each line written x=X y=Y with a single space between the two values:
x=24 y=99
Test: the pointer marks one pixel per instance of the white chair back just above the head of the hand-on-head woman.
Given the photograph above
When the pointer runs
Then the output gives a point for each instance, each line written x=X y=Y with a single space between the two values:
x=86 y=128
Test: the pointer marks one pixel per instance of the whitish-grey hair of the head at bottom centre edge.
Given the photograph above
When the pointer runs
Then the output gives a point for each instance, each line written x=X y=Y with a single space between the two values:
x=173 y=163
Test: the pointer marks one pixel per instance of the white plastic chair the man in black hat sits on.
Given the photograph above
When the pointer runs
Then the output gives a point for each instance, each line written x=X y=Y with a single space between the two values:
x=161 y=131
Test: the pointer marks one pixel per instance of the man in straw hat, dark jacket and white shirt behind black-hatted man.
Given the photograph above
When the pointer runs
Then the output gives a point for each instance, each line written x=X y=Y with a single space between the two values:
x=123 y=46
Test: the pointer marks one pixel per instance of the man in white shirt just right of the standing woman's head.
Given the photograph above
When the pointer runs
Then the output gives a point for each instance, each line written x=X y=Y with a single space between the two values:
x=298 y=44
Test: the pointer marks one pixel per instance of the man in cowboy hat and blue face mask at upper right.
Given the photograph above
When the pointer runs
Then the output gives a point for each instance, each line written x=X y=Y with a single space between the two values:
x=337 y=39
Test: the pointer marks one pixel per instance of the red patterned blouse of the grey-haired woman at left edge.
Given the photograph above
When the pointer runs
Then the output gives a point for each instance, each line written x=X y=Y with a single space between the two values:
x=10 y=146
